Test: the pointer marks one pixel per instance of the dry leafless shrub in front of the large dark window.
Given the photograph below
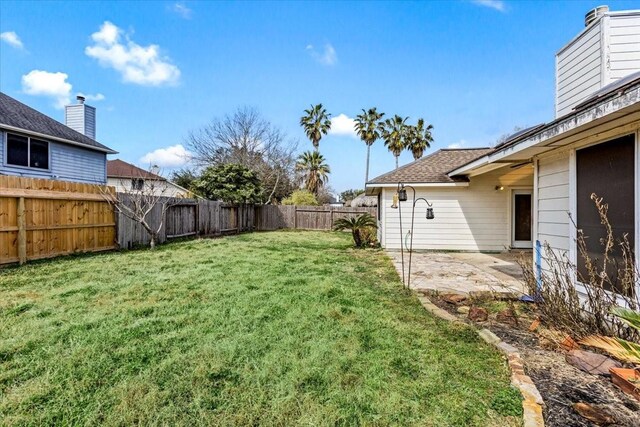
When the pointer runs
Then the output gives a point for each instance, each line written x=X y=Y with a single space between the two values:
x=608 y=282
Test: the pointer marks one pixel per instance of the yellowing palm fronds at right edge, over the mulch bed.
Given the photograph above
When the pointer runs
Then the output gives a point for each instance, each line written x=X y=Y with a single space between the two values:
x=624 y=350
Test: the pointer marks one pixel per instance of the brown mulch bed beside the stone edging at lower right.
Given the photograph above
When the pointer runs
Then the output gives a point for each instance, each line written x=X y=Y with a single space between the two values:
x=560 y=384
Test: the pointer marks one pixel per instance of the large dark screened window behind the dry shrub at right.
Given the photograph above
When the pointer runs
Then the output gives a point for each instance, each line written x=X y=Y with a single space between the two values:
x=608 y=170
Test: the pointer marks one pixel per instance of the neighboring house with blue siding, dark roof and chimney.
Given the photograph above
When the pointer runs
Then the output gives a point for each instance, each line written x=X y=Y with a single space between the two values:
x=37 y=146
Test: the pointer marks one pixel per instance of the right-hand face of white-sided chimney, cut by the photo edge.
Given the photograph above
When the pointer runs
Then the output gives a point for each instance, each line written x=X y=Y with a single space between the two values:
x=624 y=46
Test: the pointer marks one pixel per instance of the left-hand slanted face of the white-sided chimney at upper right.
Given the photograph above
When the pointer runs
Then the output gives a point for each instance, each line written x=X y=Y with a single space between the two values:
x=578 y=70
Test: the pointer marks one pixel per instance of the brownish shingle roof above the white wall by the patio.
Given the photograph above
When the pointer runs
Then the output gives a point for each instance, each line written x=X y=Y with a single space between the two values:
x=432 y=168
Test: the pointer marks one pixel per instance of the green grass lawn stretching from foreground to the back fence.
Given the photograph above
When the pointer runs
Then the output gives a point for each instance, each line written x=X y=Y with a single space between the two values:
x=274 y=329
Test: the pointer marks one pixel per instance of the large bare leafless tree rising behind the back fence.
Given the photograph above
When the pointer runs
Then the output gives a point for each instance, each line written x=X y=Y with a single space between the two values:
x=246 y=138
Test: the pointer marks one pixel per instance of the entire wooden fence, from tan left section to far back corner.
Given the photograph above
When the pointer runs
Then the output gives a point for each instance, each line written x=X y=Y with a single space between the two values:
x=41 y=218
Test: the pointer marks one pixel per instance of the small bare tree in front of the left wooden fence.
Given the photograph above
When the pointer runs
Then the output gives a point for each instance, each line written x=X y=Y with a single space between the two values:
x=137 y=197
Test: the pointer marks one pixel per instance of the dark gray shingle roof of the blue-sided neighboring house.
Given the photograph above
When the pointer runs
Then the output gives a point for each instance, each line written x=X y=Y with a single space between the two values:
x=18 y=115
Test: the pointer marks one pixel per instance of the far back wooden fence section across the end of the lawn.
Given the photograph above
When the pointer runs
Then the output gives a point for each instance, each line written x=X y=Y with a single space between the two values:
x=273 y=217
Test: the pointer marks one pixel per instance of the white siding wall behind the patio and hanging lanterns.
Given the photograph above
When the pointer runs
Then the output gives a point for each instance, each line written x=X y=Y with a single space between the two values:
x=473 y=218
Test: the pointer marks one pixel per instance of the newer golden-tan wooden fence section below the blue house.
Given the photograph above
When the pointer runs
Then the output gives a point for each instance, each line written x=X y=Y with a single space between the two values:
x=41 y=218
